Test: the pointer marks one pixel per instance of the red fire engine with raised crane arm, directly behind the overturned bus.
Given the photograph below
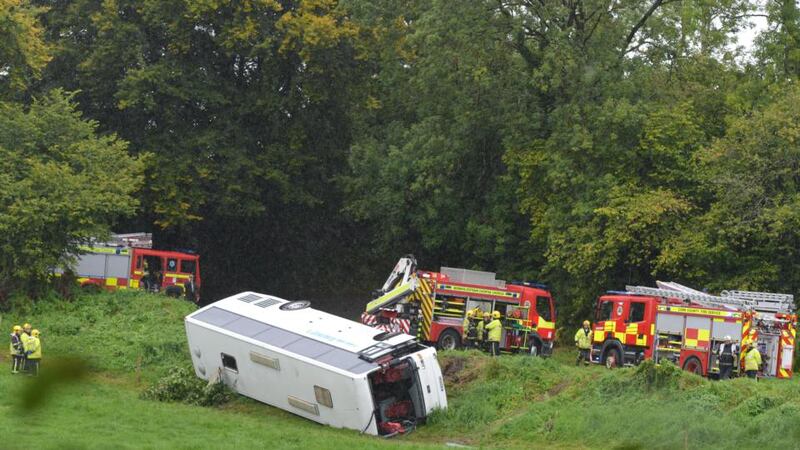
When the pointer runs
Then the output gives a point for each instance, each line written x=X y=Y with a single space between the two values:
x=432 y=306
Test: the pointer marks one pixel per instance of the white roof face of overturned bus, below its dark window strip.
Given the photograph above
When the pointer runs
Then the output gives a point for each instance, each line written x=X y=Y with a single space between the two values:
x=294 y=378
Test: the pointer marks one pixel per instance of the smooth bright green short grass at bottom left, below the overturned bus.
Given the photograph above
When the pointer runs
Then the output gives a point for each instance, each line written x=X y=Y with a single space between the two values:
x=101 y=413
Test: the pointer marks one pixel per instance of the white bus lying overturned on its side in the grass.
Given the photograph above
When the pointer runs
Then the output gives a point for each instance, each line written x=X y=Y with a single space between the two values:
x=319 y=366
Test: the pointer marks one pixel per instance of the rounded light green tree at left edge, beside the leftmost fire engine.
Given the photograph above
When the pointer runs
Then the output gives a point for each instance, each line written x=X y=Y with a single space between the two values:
x=60 y=185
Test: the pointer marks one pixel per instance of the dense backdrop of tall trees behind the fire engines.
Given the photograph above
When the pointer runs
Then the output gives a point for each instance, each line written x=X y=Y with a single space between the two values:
x=301 y=146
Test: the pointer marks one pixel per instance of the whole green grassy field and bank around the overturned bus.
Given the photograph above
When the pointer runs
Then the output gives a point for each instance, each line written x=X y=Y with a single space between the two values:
x=129 y=340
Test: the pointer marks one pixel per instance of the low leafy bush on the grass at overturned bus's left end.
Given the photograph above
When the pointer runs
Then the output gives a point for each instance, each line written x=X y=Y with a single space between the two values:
x=182 y=385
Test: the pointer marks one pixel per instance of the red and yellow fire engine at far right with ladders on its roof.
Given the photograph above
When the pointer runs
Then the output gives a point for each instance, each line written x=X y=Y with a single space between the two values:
x=685 y=326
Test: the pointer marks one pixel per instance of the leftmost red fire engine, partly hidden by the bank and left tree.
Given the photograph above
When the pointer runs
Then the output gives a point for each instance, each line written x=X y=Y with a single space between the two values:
x=128 y=261
